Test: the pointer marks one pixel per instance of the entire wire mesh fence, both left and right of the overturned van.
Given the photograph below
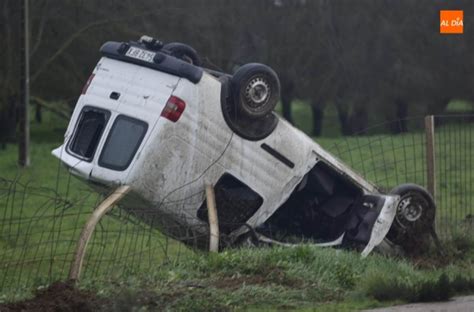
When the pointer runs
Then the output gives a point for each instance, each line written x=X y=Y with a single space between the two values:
x=40 y=226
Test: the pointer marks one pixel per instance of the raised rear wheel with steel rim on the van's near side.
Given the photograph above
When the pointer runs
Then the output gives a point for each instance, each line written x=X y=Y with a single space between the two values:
x=255 y=90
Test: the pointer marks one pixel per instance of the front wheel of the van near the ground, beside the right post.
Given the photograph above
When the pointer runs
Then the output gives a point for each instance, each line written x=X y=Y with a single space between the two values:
x=414 y=219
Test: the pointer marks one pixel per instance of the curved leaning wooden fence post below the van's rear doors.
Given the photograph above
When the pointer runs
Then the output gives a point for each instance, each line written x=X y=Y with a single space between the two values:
x=86 y=234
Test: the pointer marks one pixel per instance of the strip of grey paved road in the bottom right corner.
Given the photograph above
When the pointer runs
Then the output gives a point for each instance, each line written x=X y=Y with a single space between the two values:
x=457 y=304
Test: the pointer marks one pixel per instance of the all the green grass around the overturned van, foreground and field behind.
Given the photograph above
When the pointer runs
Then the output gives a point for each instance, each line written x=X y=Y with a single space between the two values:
x=47 y=205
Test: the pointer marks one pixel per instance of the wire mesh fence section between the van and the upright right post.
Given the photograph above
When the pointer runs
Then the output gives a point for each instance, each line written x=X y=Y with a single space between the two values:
x=385 y=159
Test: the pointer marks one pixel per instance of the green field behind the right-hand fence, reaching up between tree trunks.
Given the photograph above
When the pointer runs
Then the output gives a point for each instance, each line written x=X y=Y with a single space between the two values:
x=390 y=160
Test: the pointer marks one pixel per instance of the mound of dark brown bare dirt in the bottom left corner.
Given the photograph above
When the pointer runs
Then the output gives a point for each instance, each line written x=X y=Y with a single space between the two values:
x=60 y=296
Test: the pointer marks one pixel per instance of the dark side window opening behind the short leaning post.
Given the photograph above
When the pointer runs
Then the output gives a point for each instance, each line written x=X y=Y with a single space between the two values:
x=235 y=203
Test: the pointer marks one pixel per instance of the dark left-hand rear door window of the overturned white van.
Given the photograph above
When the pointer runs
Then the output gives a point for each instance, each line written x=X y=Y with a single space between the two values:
x=88 y=132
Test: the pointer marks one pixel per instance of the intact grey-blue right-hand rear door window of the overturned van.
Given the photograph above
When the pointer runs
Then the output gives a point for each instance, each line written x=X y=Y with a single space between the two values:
x=122 y=143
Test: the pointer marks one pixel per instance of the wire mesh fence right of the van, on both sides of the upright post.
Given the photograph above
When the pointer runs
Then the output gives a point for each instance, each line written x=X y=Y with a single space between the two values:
x=389 y=160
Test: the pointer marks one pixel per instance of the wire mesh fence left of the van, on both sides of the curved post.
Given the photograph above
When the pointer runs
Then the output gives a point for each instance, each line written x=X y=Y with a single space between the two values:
x=40 y=228
